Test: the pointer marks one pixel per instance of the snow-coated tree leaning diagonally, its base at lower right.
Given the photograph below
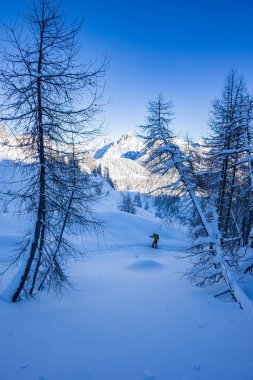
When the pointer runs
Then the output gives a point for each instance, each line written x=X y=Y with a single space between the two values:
x=210 y=259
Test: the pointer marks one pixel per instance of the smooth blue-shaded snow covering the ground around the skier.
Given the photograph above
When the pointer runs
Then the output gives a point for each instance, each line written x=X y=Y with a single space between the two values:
x=129 y=316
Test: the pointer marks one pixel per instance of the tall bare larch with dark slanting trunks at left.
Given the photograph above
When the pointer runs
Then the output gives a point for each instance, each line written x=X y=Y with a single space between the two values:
x=49 y=103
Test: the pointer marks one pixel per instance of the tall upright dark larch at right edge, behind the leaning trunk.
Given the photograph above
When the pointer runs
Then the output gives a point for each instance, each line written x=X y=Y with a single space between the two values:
x=230 y=165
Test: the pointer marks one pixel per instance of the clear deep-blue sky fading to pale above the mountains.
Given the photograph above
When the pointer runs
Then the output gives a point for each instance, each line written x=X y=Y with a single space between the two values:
x=181 y=48
